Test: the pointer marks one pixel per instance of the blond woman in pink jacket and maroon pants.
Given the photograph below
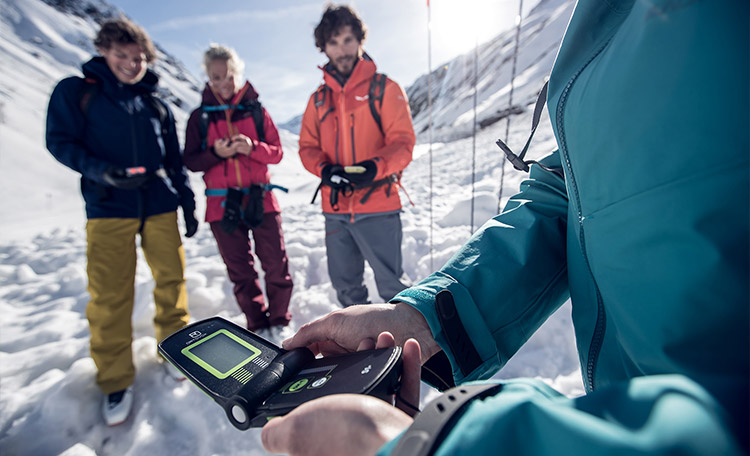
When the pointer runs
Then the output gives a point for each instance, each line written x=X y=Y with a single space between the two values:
x=232 y=140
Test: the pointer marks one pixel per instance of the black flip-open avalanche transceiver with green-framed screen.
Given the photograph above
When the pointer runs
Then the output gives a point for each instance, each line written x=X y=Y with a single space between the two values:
x=255 y=380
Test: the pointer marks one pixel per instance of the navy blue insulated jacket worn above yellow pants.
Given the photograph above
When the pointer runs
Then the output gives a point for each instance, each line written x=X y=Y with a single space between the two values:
x=120 y=129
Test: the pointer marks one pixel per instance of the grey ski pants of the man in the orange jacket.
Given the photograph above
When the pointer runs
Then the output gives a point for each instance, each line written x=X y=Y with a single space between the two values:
x=376 y=239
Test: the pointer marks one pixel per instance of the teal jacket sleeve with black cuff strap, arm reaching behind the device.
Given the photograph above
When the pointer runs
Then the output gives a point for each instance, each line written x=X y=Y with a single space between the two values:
x=508 y=278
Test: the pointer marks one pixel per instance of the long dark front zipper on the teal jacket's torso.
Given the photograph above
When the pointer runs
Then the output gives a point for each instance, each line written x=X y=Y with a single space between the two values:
x=600 y=327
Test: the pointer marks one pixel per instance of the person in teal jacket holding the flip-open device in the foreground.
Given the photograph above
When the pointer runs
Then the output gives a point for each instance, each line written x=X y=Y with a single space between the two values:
x=647 y=234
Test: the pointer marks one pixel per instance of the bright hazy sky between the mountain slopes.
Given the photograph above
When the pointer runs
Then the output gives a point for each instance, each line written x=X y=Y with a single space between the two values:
x=275 y=37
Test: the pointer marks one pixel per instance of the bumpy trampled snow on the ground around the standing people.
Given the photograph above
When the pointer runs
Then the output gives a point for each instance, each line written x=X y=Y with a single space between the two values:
x=49 y=403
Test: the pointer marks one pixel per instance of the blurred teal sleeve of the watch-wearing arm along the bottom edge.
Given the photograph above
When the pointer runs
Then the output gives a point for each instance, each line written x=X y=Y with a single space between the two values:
x=667 y=414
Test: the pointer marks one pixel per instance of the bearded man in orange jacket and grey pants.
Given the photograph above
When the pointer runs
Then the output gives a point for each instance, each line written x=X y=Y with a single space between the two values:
x=357 y=136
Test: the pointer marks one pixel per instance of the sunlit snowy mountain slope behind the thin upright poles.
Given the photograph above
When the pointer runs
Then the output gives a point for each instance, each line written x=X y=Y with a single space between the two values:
x=453 y=83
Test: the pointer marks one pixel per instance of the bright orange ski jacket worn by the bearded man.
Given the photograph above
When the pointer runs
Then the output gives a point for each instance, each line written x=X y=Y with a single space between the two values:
x=340 y=129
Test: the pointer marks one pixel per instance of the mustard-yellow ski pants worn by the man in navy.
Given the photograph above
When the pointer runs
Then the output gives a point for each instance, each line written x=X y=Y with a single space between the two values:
x=111 y=254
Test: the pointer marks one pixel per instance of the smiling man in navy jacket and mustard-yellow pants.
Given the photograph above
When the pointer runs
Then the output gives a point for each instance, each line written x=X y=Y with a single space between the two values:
x=111 y=129
